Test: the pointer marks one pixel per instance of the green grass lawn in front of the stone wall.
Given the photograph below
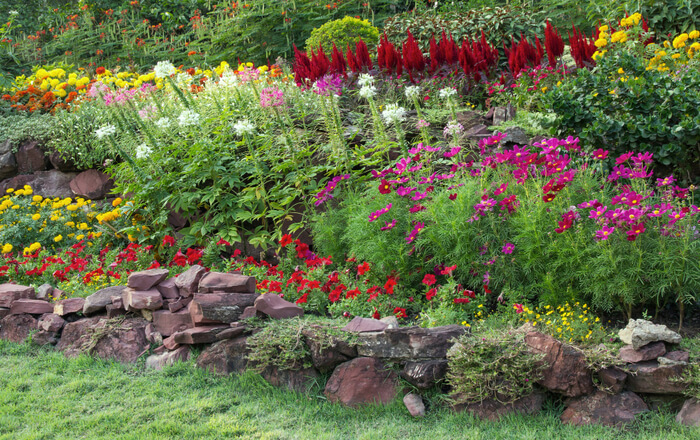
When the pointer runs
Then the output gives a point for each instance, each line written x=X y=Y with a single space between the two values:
x=46 y=396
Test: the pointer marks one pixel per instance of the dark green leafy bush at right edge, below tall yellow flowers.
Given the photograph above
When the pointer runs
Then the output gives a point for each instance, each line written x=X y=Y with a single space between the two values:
x=652 y=110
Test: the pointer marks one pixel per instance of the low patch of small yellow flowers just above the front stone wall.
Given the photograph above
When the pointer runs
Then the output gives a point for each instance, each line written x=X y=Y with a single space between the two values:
x=569 y=322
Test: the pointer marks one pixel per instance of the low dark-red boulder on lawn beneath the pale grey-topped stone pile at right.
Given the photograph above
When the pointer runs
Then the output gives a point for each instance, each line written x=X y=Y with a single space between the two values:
x=603 y=409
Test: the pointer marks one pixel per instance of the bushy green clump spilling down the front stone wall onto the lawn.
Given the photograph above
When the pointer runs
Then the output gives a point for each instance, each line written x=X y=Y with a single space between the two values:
x=493 y=364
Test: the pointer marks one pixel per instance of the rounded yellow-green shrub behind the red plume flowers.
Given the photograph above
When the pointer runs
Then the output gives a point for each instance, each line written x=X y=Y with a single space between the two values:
x=344 y=32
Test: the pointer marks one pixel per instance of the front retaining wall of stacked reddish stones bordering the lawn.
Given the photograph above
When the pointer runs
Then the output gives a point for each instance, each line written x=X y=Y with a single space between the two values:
x=207 y=309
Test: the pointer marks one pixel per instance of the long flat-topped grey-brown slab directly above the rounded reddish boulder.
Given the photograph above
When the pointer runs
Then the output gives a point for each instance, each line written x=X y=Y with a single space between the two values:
x=409 y=343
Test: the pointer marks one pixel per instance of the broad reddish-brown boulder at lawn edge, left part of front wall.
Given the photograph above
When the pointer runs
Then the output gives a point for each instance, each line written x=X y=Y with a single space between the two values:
x=121 y=339
